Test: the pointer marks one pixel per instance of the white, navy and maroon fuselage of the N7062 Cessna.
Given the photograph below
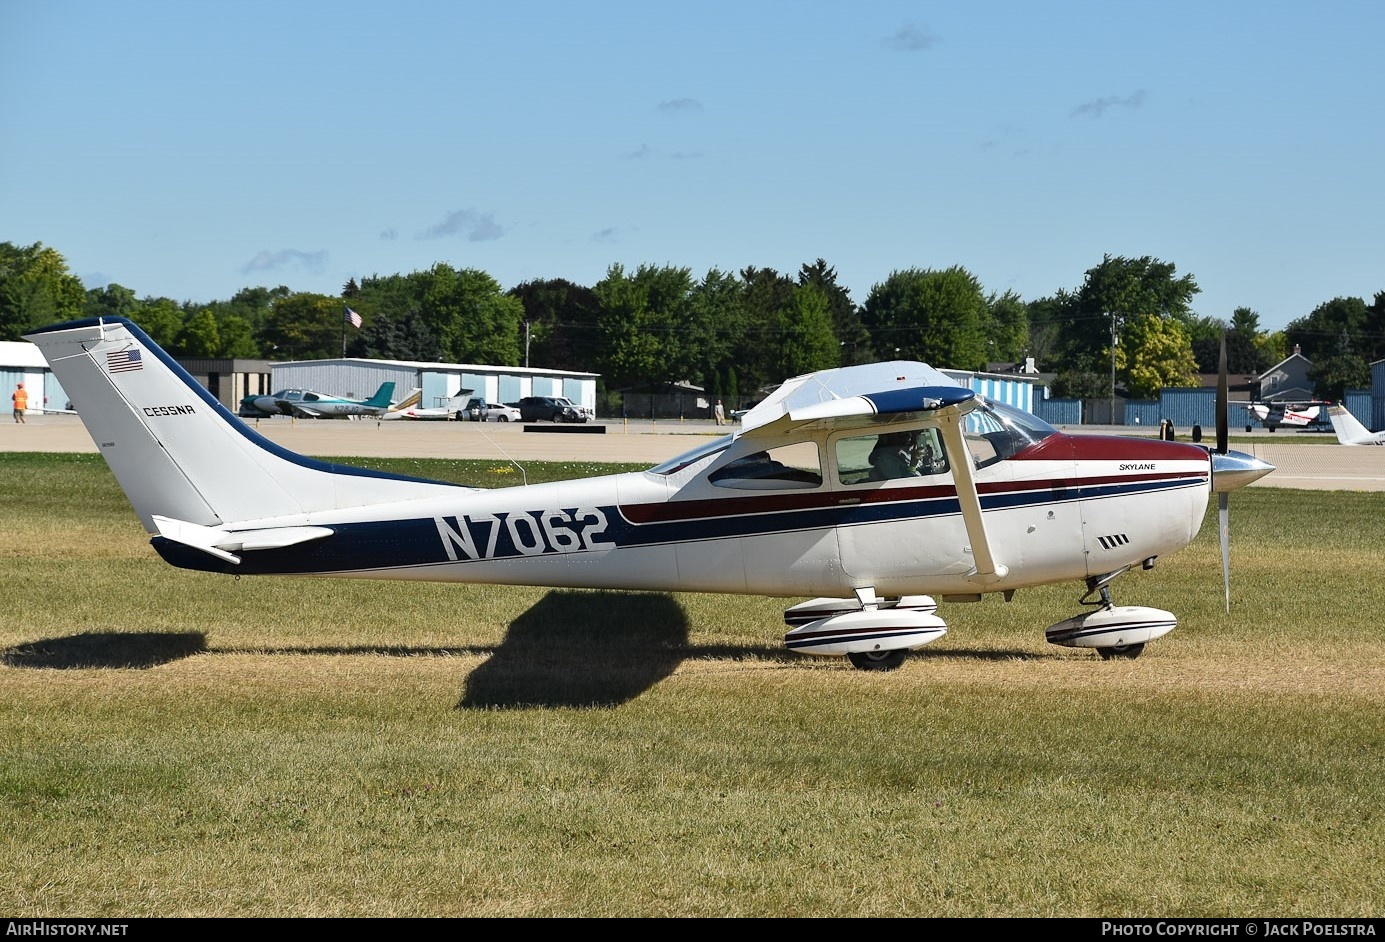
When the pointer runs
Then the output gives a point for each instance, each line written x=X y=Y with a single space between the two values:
x=1067 y=512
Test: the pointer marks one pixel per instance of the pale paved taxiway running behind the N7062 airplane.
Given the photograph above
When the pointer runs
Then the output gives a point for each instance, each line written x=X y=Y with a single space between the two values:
x=1298 y=465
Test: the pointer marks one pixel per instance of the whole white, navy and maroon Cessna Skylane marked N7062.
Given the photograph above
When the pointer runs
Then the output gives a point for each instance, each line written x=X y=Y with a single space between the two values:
x=786 y=506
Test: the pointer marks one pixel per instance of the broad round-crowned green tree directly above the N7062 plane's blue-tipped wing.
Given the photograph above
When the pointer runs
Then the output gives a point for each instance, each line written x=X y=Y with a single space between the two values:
x=933 y=317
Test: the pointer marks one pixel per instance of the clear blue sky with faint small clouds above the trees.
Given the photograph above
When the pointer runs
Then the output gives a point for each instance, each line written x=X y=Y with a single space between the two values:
x=192 y=149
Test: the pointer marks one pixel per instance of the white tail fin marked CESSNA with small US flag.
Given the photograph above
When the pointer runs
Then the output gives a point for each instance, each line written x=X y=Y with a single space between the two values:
x=178 y=452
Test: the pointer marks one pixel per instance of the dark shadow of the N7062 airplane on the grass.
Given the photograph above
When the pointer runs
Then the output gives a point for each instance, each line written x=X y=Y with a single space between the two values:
x=573 y=649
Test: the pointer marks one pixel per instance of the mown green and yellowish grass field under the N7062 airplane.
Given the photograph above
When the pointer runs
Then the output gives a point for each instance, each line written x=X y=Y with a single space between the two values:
x=189 y=745
